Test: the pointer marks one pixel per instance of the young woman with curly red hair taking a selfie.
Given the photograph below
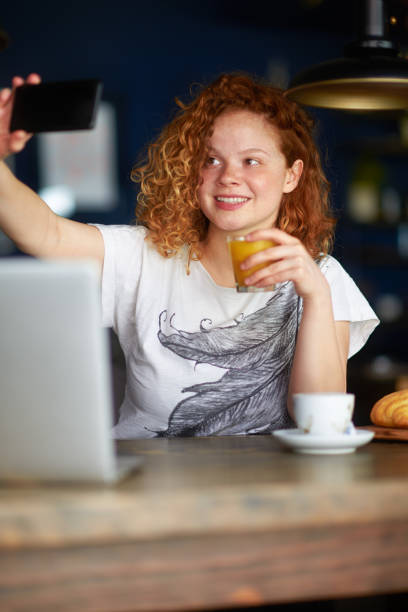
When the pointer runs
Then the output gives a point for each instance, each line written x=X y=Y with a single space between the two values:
x=201 y=358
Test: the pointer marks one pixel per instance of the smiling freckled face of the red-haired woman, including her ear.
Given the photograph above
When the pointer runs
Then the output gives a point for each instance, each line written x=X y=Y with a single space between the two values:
x=245 y=174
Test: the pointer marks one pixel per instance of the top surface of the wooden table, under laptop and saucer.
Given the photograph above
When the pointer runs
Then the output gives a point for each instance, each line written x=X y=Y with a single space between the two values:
x=216 y=484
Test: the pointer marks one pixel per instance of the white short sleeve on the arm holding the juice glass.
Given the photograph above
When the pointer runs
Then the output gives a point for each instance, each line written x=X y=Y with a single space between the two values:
x=349 y=304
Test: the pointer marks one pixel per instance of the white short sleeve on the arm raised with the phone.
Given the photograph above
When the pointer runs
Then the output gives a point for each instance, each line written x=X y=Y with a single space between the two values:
x=121 y=266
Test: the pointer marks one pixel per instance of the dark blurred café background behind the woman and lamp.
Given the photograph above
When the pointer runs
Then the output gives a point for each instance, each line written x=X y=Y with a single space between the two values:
x=149 y=53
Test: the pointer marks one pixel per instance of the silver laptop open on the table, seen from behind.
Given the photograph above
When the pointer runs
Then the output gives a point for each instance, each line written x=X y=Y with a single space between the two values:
x=56 y=400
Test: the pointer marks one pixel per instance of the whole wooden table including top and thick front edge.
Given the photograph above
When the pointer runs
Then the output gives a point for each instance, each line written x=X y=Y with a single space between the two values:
x=210 y=522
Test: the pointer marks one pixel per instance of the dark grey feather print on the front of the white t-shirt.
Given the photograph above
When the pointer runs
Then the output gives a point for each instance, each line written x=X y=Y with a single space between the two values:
x=257 y=353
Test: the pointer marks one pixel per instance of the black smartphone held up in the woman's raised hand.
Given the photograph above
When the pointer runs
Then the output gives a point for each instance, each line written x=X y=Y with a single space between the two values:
x=56 y=107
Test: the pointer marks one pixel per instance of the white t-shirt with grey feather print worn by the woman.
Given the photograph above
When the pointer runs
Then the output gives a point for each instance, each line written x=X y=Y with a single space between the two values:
x=202 y=359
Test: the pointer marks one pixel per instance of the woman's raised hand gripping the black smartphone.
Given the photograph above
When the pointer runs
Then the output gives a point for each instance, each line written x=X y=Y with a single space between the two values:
x=12 y=142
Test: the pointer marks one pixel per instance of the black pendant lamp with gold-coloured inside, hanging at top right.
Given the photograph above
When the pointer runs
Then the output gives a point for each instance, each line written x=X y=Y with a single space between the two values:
x=371 y=76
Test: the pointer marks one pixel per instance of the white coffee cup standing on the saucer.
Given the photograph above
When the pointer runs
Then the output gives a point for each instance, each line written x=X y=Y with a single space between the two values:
x=324 y=414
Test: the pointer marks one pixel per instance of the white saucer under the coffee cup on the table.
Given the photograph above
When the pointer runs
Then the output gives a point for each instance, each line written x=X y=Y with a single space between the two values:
x=300 y=442
